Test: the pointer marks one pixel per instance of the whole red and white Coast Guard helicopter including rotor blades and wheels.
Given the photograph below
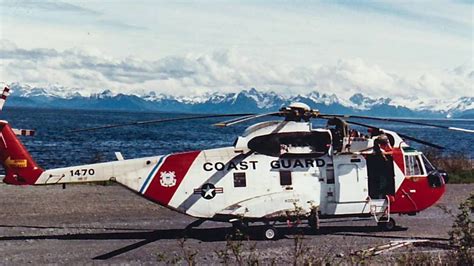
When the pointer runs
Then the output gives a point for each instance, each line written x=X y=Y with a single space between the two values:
x=283 y=170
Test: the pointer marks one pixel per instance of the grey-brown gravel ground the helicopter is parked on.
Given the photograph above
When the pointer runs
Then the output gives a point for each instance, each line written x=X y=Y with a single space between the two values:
x=96 y=224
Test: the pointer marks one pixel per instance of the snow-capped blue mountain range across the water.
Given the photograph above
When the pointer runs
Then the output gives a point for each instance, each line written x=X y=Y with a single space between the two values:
x=250 y=100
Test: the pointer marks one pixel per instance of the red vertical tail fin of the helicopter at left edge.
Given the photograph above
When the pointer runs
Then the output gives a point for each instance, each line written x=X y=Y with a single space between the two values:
x=20 y=168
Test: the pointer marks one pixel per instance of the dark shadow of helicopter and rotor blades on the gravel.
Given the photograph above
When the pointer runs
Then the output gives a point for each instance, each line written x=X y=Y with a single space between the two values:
x=215 y=234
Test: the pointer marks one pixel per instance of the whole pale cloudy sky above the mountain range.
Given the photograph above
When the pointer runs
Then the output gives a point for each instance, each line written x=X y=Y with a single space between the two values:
x=398 y=49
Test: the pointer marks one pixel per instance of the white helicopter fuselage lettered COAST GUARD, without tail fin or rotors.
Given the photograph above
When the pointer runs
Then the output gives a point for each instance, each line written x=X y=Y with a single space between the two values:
x=237 y=182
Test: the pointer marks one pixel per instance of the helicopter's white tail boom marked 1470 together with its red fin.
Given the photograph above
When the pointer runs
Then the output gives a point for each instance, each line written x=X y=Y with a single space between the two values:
x=21 y=169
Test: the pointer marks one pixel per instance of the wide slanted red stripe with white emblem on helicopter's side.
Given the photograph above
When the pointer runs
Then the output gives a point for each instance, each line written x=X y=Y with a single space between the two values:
x=177 y=163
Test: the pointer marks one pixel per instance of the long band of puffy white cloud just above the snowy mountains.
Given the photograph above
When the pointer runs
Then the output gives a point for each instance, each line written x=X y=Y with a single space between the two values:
x=222 y=71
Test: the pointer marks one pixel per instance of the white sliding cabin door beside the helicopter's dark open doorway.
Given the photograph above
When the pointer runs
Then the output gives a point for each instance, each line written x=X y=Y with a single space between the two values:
x=351 y=179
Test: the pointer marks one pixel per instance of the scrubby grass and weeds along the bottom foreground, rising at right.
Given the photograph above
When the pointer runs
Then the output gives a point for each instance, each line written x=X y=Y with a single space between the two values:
x=459 y=250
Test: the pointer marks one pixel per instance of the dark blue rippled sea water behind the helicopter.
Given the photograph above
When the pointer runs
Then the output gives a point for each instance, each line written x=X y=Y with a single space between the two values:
x=54 y=145
